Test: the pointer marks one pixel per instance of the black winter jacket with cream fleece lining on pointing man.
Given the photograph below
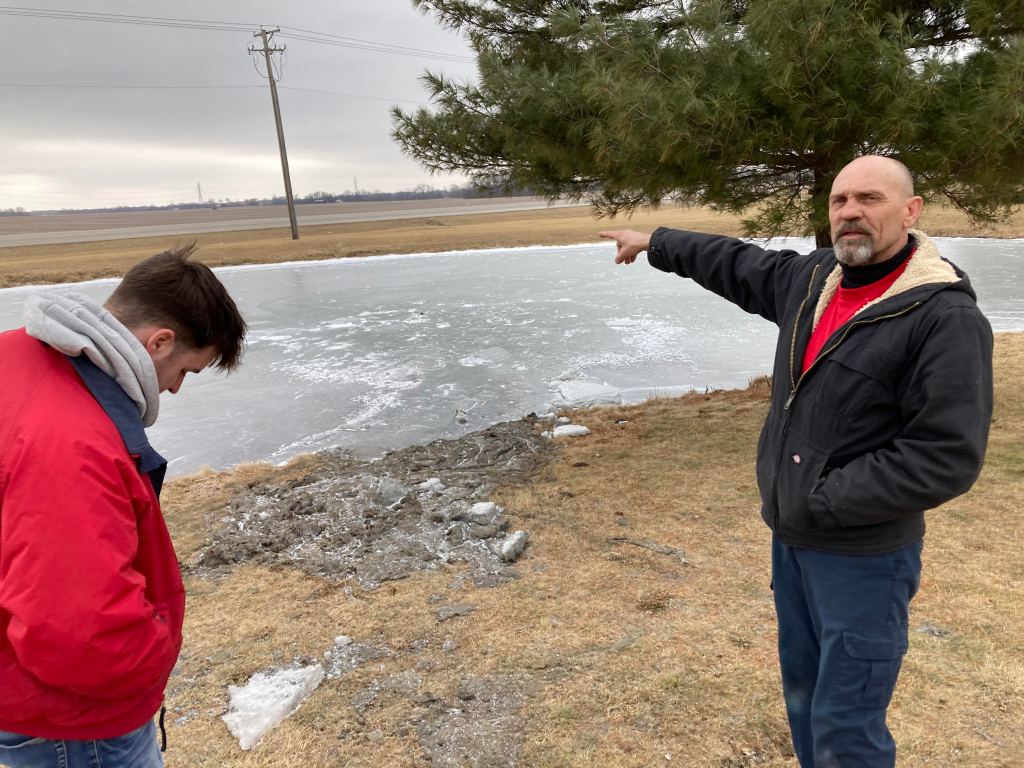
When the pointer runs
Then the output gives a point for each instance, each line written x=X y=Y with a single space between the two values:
x=892 y=418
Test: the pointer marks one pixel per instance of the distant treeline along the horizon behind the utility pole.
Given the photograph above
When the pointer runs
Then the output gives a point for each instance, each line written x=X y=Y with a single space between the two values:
x=423 y=192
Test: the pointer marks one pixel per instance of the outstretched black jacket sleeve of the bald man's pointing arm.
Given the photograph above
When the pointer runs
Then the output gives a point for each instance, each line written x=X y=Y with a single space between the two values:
x=759 y=282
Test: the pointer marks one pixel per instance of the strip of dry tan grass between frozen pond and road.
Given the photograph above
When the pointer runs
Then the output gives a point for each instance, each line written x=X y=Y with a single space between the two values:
x=78 y=262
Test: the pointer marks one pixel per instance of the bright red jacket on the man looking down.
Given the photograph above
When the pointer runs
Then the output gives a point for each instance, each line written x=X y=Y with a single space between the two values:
x=92 y=600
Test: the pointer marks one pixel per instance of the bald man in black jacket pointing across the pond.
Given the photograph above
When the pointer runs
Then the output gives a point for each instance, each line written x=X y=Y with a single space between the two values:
x=882 y=398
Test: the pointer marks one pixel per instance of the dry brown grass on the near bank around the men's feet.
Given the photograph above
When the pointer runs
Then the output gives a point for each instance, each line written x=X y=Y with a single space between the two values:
x=629 y=656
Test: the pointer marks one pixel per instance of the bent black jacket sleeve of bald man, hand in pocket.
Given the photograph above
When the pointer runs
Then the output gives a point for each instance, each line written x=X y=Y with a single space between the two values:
x=947 y=410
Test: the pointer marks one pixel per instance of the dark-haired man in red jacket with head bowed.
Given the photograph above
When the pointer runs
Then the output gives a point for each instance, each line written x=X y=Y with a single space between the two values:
x=92 y=599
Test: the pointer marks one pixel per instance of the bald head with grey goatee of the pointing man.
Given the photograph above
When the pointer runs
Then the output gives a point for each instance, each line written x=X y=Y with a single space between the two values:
x=872 y=209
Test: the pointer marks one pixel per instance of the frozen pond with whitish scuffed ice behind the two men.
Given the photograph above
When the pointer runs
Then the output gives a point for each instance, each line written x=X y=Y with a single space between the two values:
x=387 y=352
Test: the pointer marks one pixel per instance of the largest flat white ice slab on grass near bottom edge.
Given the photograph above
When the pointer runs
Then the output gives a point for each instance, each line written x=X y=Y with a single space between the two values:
x=268 y=699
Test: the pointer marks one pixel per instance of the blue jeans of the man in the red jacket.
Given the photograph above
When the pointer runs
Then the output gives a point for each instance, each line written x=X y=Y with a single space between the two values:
x=136 y=750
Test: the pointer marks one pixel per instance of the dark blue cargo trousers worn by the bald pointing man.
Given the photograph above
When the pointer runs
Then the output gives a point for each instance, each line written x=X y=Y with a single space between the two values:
x=842 y=636
